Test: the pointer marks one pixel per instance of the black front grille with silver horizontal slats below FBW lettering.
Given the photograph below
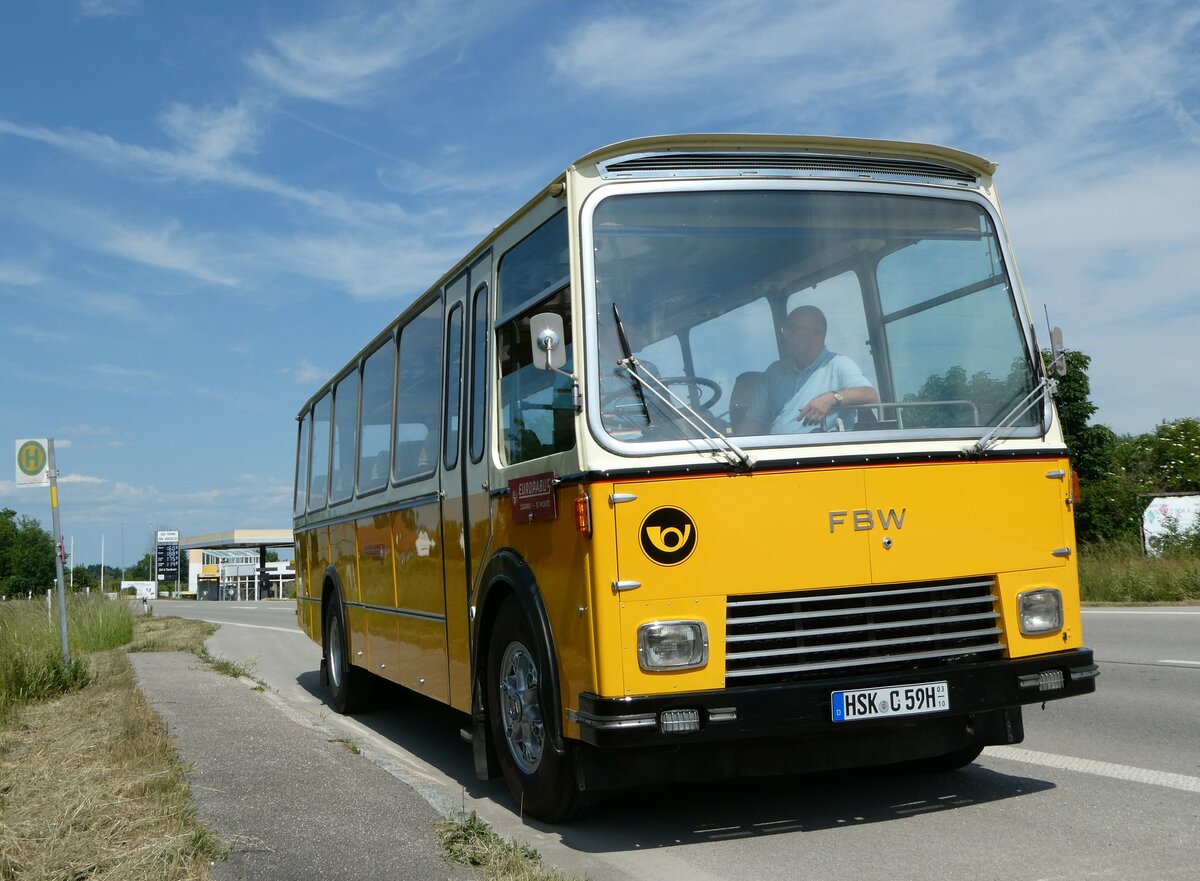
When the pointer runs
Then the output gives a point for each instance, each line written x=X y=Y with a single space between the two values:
x=784 y=638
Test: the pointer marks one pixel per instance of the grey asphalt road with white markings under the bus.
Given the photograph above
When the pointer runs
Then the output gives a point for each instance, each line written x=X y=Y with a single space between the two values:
x=1105 y=787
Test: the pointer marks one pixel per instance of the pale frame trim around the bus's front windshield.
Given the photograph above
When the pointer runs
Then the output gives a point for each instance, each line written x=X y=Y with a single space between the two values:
x=782 y=446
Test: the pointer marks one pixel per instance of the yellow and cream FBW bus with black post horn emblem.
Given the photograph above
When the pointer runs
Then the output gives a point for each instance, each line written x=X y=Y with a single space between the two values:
x=724 y=456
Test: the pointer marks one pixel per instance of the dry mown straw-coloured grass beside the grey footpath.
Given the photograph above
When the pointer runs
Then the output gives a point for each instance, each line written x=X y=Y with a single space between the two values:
x=91 y=787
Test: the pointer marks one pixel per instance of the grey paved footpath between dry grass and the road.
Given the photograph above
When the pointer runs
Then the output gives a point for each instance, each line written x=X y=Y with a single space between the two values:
x=287 y=804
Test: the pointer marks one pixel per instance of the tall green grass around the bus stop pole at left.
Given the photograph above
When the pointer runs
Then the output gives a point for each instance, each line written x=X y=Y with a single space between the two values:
x=32 y=667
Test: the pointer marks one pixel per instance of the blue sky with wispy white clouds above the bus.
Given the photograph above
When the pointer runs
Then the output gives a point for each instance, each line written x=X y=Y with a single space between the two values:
x=206 y=209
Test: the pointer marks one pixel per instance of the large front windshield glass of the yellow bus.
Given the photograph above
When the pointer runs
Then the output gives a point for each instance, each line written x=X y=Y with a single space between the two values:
x=802 y=315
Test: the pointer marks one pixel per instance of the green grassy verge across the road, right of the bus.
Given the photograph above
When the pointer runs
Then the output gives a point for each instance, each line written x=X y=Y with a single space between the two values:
x=1119 y=574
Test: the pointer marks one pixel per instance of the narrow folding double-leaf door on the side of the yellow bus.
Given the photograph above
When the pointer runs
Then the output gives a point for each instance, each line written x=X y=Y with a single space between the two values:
x=467 y=524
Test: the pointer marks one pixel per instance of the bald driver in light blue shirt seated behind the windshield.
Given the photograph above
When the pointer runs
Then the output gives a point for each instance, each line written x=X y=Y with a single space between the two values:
x=809 y=387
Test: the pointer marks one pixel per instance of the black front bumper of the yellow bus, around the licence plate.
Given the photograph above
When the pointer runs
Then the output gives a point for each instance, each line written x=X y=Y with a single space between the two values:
x=806 y=709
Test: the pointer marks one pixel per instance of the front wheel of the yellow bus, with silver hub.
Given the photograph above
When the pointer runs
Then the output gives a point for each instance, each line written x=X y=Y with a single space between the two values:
x=541 y=777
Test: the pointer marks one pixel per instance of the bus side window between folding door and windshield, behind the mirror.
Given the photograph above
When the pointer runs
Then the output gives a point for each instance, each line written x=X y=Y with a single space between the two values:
x=537 y=411
